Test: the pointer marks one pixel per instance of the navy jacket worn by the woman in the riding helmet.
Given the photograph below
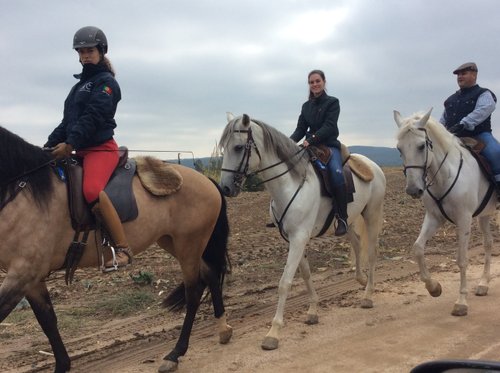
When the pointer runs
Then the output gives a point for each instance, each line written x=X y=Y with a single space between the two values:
x=89 y=110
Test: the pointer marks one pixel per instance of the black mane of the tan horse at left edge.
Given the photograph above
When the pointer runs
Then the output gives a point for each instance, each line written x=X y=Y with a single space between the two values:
x=17 y=158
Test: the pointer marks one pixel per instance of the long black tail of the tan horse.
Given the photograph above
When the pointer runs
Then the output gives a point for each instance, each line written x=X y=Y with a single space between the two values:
x=215 y=256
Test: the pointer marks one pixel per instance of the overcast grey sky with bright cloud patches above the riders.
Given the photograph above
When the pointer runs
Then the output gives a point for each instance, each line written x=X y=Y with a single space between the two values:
x=183 y=64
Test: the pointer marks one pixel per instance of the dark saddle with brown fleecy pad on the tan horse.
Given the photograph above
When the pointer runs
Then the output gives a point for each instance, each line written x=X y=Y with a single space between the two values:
x=157 y=177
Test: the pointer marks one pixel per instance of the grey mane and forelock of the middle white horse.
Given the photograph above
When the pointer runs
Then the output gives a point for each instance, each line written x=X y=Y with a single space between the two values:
x=274 y=141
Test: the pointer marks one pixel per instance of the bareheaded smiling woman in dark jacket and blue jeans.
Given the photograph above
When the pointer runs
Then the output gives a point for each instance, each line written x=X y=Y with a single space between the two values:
x=318 y=124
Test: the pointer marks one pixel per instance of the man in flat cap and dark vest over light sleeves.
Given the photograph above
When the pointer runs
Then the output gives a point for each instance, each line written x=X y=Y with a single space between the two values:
x=467 y=113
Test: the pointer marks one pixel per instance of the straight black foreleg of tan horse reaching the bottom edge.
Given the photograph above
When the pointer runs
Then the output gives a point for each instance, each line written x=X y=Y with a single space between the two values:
x=39 y=299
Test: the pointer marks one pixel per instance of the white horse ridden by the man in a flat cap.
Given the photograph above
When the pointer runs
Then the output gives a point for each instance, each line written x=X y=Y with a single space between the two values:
x=445 y=174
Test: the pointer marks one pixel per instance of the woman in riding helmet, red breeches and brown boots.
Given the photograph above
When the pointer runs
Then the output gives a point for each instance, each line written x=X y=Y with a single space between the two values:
x=88 y=126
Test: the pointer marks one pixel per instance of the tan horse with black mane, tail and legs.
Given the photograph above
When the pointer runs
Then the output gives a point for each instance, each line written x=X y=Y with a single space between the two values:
x=36 y=231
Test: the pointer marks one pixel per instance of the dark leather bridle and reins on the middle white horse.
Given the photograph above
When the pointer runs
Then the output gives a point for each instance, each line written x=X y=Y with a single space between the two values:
x=242 y=171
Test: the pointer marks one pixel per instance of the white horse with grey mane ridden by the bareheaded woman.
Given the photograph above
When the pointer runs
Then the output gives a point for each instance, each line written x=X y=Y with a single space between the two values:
x=297 y=206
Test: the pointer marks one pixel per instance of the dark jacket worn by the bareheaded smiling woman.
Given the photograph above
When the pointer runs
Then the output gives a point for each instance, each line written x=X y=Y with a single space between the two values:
x=318 y=121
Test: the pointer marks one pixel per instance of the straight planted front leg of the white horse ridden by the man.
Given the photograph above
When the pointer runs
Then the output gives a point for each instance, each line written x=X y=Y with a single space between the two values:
x=460 y=307
